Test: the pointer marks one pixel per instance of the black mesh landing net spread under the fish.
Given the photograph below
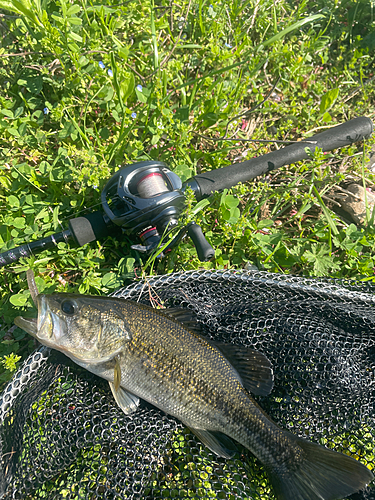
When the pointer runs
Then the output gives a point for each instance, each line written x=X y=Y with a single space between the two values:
x=63 y=436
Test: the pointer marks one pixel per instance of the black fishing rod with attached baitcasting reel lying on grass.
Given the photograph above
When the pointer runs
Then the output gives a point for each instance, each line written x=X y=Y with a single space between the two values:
x=146 y=198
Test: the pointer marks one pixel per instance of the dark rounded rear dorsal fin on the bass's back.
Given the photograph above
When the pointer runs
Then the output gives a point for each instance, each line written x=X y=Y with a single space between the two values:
x=254 y=368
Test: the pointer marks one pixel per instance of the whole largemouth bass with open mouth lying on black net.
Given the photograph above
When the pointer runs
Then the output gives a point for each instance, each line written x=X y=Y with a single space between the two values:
x=160 y=356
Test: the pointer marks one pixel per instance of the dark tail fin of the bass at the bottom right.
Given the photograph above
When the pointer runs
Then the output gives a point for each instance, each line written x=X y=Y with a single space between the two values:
x=321 y=474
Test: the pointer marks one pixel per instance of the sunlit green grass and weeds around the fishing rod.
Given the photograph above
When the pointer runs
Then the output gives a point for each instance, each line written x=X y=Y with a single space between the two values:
x=87 y=88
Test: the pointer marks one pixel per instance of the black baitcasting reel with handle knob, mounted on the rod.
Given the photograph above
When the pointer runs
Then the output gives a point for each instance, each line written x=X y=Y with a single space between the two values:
x=146 y=199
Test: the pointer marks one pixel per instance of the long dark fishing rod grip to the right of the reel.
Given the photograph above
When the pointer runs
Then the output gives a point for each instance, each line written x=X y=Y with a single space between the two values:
x=224 y=178
